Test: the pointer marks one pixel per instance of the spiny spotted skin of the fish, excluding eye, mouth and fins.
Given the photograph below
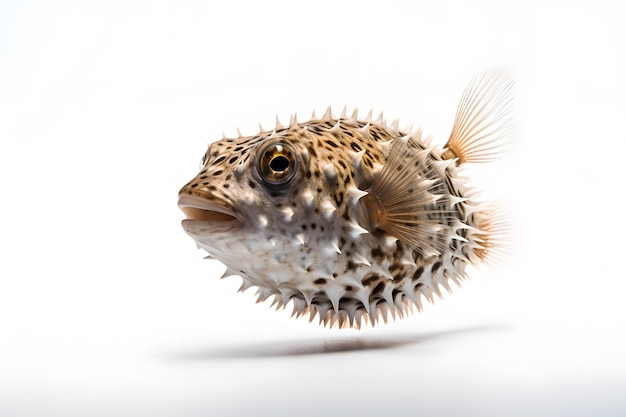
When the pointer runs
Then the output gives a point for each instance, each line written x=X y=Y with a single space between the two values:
x=306 y=244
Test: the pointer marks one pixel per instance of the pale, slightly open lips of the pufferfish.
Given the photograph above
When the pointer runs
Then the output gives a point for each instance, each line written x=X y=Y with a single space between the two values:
x=207 y=215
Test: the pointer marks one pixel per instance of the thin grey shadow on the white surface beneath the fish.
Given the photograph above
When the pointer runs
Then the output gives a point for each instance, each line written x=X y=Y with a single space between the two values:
x=283 y=348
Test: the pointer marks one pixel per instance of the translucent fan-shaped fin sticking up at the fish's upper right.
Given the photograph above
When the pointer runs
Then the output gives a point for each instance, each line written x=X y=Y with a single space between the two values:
x=483 y=122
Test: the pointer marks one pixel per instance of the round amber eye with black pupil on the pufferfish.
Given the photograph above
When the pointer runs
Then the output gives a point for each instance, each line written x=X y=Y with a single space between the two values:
x=277 y=164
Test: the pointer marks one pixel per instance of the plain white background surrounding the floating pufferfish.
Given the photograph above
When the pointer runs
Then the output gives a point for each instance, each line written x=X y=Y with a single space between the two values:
x=106 y=307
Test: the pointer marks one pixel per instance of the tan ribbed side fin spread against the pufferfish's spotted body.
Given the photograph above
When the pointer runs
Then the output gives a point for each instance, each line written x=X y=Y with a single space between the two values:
x=404 y=200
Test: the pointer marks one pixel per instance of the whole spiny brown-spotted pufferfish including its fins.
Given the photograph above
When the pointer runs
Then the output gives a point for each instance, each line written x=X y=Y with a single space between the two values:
x=350 y=219
